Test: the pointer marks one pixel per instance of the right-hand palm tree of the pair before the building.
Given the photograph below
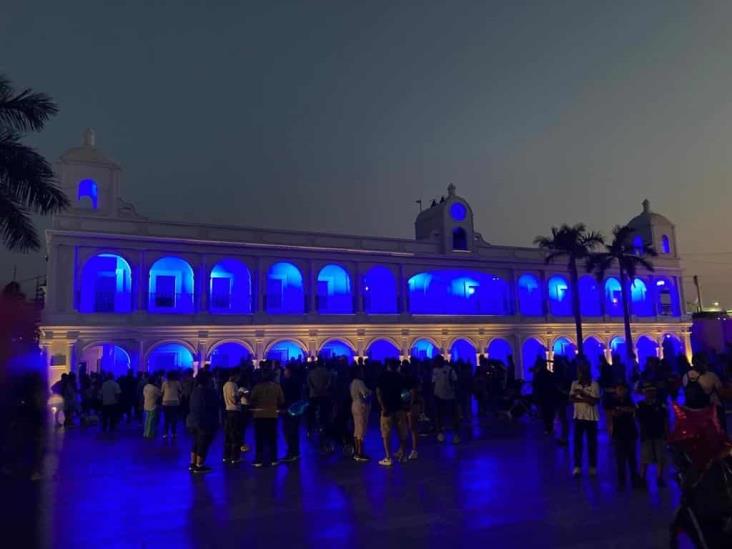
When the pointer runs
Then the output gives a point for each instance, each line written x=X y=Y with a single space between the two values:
x=628 y=257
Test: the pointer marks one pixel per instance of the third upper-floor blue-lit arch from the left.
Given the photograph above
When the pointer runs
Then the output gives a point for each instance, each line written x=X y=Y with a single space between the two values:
x=230 y=288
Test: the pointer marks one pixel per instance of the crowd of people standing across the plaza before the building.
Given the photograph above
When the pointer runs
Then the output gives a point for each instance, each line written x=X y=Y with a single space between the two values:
x=334 y=400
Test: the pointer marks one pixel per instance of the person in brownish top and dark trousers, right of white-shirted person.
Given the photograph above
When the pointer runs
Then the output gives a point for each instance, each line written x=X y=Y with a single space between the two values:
x=266 y=400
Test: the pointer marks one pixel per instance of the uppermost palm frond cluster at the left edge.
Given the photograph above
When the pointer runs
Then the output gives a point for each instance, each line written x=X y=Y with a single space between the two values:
x=24 y=111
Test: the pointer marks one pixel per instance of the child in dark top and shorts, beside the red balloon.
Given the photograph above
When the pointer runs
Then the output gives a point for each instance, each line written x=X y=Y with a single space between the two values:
x=653 y=421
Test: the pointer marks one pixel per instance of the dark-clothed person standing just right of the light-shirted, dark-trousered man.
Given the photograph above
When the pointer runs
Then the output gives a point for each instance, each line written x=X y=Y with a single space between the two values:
x=625 y=435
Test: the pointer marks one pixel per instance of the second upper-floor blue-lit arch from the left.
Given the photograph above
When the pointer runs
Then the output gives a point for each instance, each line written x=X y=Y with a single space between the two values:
x=171 y=286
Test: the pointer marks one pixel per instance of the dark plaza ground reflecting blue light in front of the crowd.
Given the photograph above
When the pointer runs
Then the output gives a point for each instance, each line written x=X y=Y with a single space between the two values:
x=505 y=485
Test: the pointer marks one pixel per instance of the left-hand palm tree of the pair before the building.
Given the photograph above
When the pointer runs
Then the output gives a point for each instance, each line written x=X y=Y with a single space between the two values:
x=575 y=244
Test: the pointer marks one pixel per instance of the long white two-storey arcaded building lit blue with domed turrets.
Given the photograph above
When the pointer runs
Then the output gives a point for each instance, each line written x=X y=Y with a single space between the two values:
x=128 y=291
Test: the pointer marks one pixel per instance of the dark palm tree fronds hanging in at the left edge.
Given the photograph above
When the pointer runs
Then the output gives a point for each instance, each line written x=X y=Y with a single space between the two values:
x=27 y=182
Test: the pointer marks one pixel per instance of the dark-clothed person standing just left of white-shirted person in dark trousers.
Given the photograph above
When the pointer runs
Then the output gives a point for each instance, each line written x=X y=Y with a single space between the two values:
x=203 y=420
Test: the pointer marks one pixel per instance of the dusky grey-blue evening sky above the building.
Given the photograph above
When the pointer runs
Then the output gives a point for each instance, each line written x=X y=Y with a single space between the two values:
x=337 y=116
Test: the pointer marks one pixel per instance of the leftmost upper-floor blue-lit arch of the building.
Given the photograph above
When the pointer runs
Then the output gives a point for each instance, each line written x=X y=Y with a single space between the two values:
x=106 y=285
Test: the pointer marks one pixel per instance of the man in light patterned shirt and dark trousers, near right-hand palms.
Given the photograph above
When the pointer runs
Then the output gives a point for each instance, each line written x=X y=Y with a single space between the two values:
x=585 y=394
